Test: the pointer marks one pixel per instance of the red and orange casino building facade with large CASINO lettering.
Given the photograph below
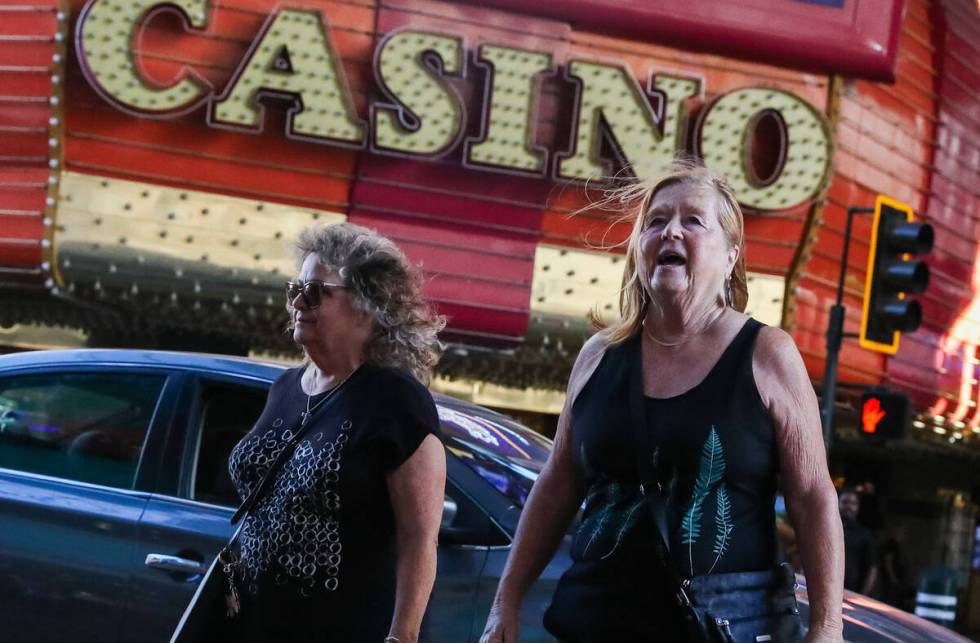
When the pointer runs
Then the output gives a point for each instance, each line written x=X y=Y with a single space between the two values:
x=157 y=159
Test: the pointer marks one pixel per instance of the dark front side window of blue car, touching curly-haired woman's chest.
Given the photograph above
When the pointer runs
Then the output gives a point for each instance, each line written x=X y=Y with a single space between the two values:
x=228 y=412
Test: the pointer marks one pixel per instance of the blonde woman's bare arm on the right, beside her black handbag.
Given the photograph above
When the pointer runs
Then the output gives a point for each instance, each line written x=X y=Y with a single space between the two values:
x=811 y=501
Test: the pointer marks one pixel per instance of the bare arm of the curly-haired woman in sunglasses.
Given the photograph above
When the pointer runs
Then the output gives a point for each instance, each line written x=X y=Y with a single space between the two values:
x=417 y=489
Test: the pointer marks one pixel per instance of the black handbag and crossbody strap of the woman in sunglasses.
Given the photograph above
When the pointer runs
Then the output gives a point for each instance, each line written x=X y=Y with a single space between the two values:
x=210 y=613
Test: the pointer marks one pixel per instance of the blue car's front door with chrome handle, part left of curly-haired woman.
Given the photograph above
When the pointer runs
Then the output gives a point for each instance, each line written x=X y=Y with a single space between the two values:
x=186 y=521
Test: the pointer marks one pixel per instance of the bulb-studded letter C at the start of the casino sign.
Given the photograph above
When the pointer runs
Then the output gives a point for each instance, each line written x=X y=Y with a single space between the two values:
x=105 y=34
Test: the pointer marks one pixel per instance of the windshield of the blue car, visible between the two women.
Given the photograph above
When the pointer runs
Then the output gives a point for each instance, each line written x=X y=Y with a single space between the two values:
x=507 y=455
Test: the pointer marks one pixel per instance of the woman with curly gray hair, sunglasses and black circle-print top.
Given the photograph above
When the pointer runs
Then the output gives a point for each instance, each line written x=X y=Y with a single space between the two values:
x=341 y=547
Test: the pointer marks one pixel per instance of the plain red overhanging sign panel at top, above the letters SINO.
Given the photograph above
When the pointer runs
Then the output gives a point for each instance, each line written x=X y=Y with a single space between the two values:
x=852 y=37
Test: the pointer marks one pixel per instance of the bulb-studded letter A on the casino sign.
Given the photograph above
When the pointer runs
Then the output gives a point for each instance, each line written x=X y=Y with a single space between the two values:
x=293 y=58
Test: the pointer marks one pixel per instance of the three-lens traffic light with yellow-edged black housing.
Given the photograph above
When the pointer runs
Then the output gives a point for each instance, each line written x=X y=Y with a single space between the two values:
x=893 y=276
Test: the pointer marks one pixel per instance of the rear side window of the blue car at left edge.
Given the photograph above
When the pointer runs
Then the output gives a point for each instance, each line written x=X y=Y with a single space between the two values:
x=88 y=427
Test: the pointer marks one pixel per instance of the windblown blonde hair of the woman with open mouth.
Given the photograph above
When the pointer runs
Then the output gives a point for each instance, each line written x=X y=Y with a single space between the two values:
x=636 y=198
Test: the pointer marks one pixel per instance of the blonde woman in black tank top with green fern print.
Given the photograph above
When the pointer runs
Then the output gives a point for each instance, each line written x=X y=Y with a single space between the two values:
x=679 y=419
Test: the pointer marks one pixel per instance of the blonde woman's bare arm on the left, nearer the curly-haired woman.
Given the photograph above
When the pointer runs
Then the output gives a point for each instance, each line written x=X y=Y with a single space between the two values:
x=550 y=509
